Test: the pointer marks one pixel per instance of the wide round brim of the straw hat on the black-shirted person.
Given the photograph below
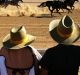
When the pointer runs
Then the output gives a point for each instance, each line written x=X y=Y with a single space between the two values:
x=74 y=36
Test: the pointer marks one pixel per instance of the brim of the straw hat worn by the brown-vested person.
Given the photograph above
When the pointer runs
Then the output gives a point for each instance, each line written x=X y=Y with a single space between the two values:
x=7 y=42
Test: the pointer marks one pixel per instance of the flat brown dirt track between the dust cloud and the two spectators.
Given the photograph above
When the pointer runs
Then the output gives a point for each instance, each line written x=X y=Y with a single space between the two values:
x=37 y=26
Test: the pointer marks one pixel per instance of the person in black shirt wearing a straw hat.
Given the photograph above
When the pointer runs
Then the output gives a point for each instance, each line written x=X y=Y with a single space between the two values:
x=64 y=58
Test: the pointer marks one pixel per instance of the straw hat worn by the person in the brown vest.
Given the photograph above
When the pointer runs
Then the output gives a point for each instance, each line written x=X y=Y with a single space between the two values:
x=18 y=38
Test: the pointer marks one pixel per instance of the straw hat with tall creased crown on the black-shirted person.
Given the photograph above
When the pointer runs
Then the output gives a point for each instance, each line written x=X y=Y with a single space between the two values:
x=64 y=30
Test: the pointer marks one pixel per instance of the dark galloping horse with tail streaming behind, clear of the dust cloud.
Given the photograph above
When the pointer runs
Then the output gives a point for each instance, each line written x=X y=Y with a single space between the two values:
x=55 y=5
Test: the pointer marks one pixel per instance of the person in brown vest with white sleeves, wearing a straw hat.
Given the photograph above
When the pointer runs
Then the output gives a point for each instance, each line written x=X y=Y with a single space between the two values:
x=21 y=57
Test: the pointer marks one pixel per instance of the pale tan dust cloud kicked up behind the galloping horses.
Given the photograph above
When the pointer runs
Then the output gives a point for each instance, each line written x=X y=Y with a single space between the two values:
x=22 y=10
